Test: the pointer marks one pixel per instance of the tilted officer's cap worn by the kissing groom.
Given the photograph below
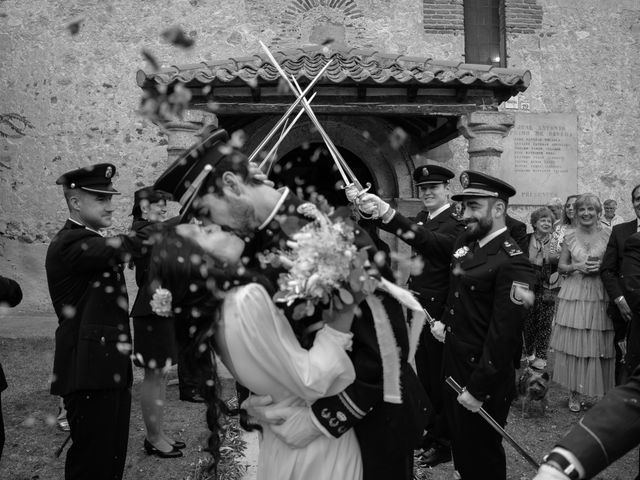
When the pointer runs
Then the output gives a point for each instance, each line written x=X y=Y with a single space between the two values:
x=186 y=176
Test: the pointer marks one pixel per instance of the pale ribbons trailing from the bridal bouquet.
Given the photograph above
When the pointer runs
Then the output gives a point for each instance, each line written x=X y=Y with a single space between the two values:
x=386 y=340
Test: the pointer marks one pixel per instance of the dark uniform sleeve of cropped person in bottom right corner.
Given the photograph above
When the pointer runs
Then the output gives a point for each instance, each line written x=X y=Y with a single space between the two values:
x=608 y=430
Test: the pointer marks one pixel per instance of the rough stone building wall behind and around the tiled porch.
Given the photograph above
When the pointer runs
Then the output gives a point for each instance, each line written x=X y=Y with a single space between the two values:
x=68 y=100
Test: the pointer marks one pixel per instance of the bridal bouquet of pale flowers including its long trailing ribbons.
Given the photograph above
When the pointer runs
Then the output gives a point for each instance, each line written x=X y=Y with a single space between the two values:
x=326 y=267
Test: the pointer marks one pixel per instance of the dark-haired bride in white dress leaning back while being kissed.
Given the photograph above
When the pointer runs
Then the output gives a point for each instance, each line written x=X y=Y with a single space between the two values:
x=223 y=308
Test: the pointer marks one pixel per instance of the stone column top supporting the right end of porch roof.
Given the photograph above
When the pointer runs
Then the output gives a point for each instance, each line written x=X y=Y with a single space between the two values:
x=486 y=132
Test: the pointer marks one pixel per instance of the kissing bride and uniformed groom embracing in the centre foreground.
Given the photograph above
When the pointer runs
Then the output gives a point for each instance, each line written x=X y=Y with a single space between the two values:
x=316 y=383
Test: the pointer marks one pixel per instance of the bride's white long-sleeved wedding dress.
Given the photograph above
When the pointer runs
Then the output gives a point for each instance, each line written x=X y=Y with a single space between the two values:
x=258 y=346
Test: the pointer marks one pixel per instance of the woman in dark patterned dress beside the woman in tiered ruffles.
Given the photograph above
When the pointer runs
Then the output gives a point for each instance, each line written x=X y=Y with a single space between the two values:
x=537 y=324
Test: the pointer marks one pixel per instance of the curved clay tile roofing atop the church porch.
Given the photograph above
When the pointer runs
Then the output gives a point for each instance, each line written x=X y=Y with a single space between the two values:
x=350 y=65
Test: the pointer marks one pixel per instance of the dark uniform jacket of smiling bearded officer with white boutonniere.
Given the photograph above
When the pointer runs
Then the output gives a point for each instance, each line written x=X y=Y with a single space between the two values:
x=484 y=314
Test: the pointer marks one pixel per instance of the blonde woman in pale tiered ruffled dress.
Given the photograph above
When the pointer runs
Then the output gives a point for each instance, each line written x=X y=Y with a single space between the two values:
x=583 y=333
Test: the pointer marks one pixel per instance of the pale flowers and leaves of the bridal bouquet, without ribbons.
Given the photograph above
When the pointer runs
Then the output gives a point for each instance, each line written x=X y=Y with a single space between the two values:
x=324 y=265
